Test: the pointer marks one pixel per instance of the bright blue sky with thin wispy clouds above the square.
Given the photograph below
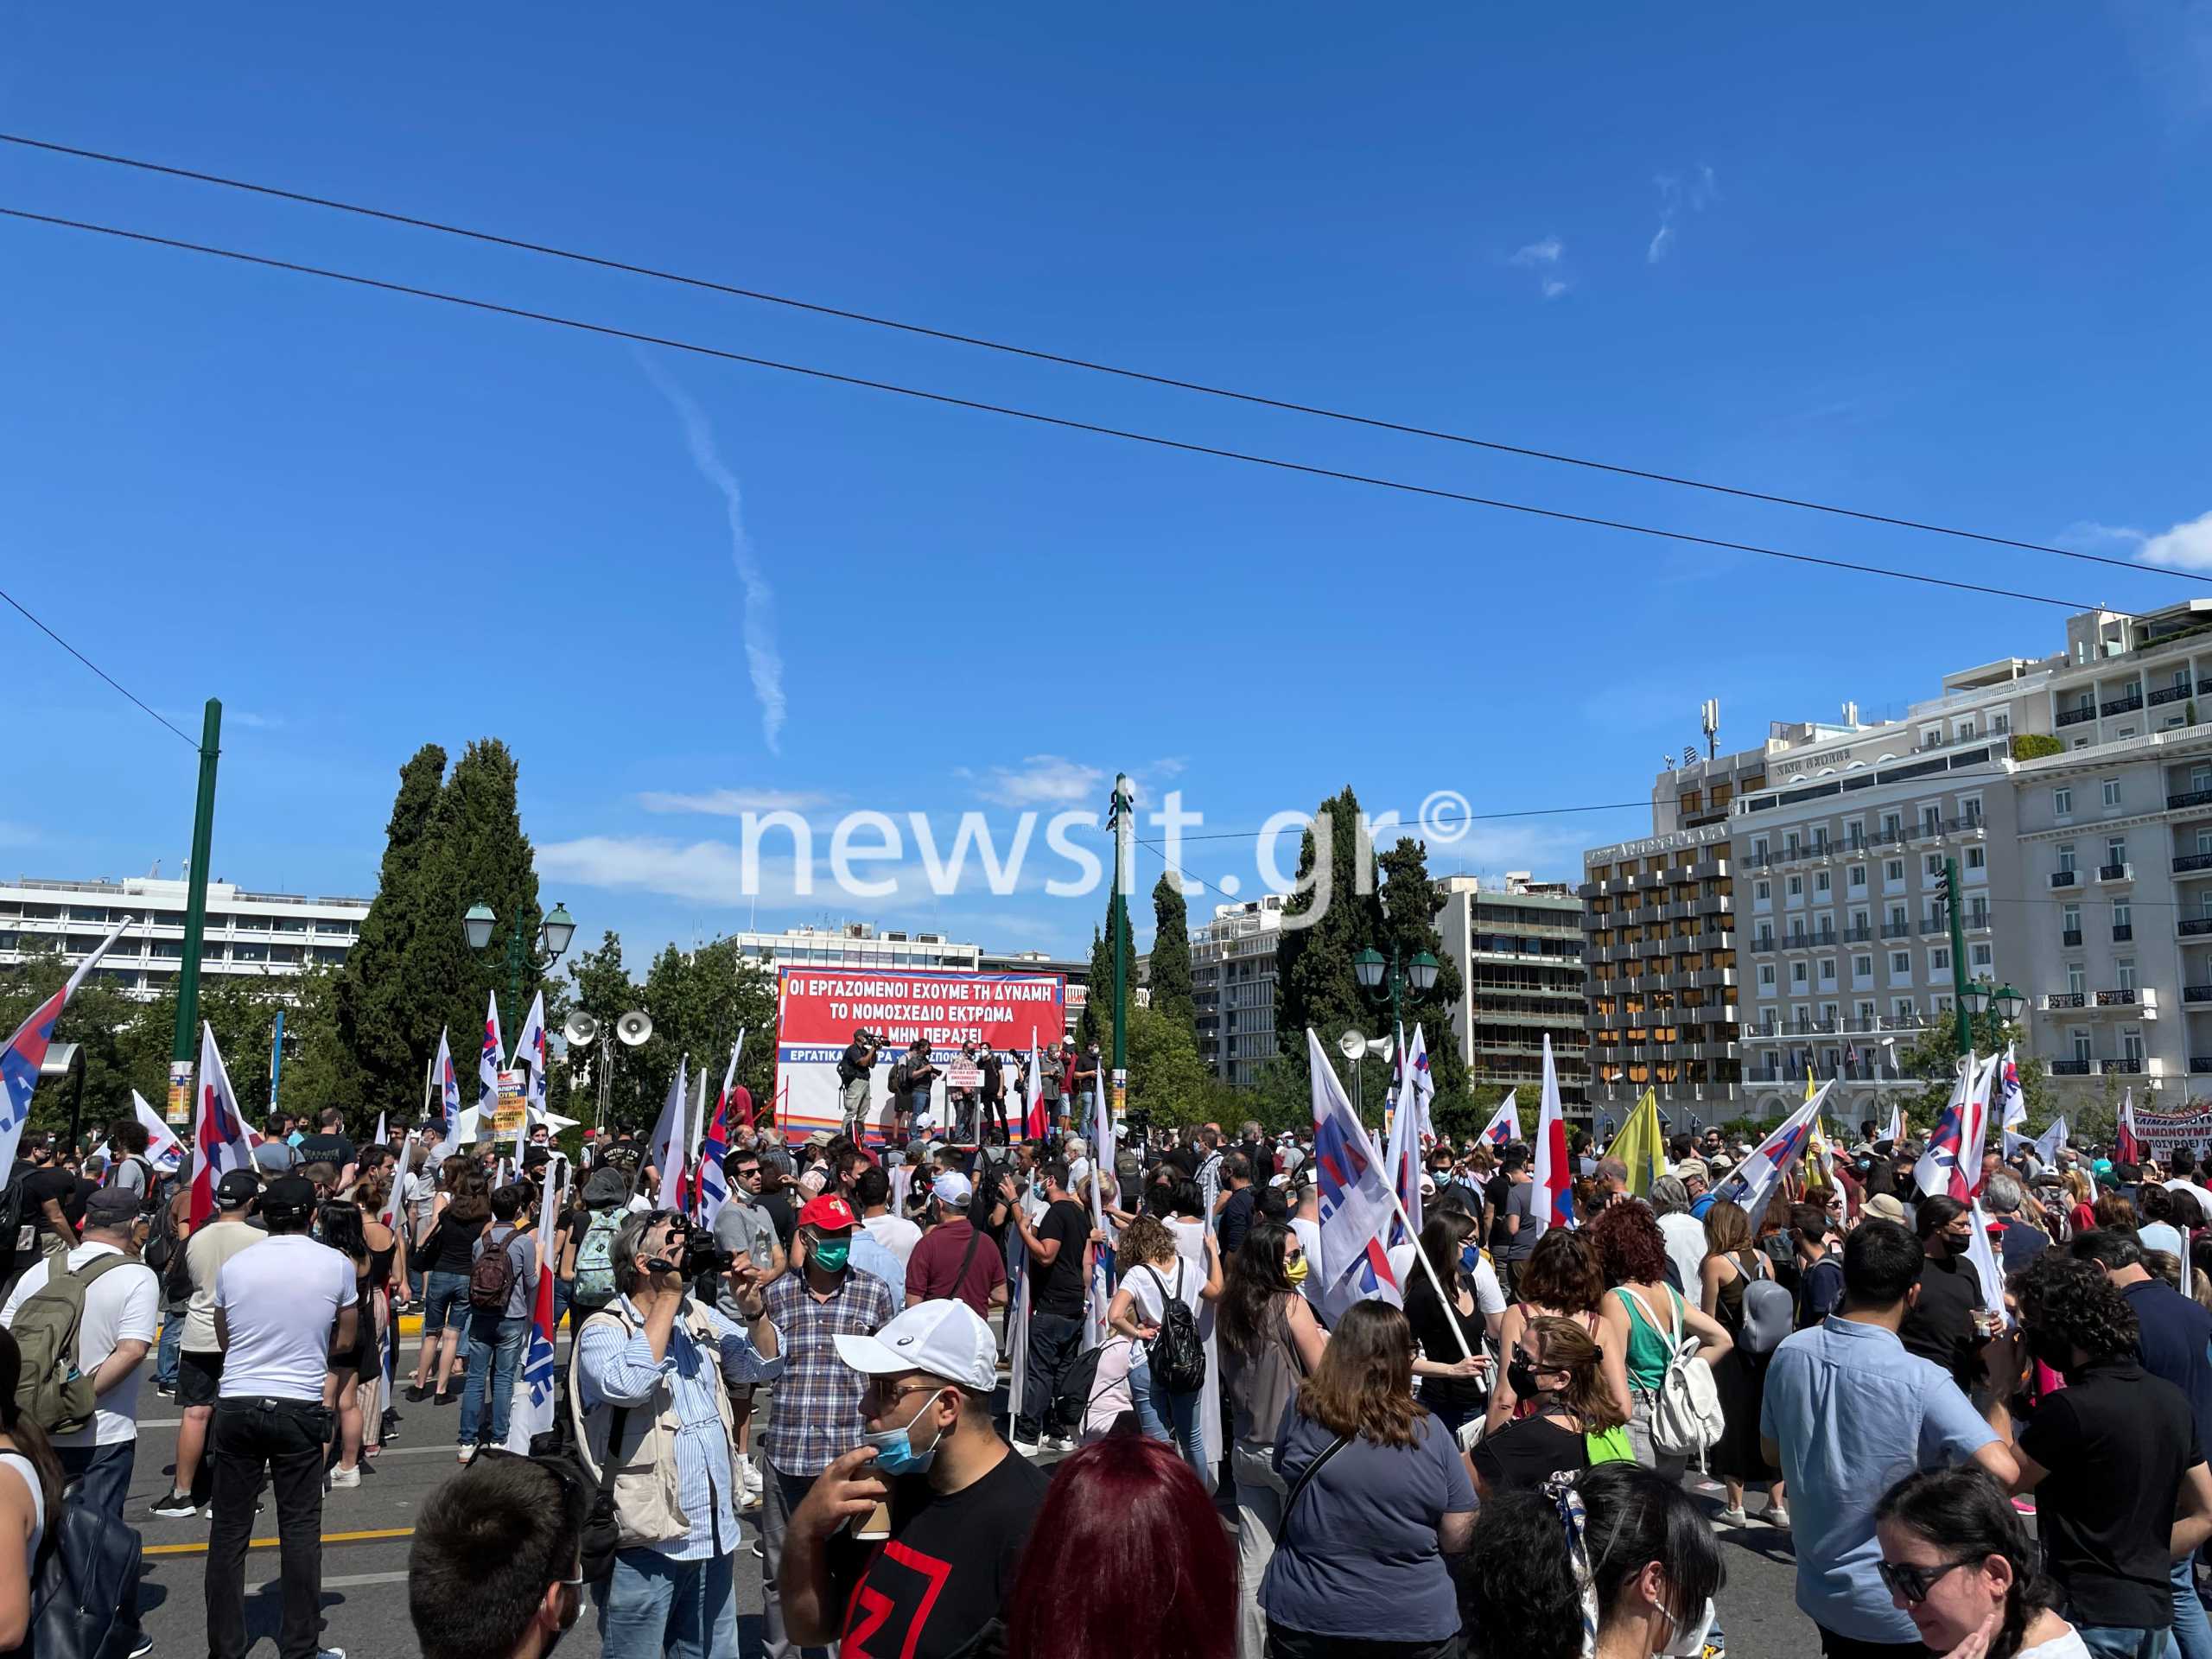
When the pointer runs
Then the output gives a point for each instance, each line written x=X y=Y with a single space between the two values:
x=1906 y=260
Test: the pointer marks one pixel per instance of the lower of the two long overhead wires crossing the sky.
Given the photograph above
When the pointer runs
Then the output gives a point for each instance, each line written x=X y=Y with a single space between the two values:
x=1036 y=417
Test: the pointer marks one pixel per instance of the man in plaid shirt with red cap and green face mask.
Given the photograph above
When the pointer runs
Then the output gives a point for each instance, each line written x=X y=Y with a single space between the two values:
x=815 y=1410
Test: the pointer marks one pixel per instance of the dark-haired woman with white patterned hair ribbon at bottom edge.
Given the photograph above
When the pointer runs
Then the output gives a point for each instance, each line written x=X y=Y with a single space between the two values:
x=1618 y=1554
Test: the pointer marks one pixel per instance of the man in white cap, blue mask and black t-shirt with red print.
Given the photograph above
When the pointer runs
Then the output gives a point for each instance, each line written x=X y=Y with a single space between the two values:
x=926 y=1578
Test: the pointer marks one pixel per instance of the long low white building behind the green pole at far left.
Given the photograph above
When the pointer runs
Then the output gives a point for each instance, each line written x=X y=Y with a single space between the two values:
x=247 y=935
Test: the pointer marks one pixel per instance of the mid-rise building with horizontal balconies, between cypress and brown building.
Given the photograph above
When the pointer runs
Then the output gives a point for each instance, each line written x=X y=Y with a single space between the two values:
x=1519 y=948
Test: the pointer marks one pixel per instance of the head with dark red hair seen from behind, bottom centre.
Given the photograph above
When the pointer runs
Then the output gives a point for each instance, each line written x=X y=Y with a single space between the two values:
x=1127 y=1558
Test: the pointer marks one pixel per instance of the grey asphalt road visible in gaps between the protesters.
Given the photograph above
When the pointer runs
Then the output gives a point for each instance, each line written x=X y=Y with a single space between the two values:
x=366 y=1532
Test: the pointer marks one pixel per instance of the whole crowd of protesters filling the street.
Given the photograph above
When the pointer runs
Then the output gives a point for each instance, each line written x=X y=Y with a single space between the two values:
x=1492 y=1461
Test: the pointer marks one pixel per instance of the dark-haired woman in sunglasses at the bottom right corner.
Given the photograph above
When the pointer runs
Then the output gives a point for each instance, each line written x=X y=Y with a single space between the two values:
x=1961 y=1567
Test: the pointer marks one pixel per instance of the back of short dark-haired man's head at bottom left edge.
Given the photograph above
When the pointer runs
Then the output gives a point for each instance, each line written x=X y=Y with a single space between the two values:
x=497 y=1567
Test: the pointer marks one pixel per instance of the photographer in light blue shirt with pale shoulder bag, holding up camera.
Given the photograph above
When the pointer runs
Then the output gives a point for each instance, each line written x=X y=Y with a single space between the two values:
x=654 y=1412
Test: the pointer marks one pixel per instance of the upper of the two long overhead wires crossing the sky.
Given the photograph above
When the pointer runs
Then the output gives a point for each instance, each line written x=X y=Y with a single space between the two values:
x=1065 y=359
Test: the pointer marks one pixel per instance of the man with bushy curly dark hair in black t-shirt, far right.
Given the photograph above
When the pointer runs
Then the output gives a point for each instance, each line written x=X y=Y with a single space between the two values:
x=2114 y=1457
